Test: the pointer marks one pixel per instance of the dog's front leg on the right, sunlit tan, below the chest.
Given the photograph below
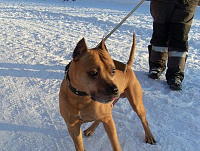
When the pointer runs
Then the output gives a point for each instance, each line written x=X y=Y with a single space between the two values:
x=111 y=131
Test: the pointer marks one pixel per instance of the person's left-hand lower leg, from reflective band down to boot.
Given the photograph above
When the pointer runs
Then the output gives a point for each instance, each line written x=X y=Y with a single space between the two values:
x=157 y=61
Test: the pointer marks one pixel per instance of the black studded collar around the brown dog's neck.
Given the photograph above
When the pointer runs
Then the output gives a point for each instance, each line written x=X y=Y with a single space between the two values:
x=74 y=90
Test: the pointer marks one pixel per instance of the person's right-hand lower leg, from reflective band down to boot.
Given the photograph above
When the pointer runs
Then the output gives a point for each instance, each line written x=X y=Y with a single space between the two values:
x=175 y=71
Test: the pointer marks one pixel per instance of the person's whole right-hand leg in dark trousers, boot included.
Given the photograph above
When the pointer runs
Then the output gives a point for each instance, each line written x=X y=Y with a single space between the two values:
x=178 y=44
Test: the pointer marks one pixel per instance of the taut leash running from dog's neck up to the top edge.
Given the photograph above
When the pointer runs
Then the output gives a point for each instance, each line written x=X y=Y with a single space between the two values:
x=125 y=18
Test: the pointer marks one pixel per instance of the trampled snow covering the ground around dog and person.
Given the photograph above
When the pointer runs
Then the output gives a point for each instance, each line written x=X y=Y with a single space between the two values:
x=36 y=42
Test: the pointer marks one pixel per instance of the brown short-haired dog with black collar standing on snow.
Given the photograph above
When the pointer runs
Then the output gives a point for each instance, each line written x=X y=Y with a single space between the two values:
x=90 y=88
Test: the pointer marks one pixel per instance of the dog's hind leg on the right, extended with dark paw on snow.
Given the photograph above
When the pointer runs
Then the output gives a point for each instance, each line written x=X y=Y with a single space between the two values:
x=134 y=95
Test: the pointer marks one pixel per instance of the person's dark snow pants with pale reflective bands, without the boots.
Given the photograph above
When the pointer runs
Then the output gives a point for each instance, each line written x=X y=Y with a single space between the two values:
x=172 y=23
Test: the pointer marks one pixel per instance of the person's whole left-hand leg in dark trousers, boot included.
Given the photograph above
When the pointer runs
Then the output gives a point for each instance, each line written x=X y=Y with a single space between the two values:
x=161 y=13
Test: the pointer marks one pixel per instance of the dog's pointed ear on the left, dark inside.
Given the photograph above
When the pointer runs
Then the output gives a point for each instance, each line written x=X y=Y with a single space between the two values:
x=80 y=49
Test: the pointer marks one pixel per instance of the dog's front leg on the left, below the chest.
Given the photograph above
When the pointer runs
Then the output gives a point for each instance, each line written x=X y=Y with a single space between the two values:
x=76 y=134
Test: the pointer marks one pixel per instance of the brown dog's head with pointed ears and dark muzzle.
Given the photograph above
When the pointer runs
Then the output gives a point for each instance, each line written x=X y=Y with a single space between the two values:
x=94 y=71
